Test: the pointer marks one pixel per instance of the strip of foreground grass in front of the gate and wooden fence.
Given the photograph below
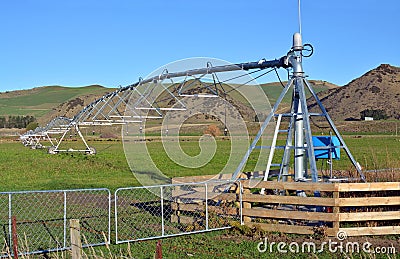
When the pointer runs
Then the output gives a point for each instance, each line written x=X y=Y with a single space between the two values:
x=228 y=244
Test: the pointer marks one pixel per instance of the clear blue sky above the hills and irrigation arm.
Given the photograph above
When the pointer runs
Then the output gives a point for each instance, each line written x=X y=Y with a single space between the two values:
x=83 y=42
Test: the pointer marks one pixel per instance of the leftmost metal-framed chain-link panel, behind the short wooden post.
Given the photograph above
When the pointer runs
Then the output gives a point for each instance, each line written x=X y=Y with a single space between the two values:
x=42 y=219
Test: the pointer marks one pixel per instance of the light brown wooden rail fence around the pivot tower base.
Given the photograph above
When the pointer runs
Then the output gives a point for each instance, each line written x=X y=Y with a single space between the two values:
x=358 y=209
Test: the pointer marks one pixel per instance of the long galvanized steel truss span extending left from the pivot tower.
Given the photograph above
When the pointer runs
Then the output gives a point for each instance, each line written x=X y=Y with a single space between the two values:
x=118 y=108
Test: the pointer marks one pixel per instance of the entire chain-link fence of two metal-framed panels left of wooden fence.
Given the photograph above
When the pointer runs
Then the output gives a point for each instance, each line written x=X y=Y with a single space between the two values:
x=42 y=217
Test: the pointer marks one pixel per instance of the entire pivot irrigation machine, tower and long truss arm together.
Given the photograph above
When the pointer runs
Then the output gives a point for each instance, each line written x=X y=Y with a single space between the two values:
x=152 y=98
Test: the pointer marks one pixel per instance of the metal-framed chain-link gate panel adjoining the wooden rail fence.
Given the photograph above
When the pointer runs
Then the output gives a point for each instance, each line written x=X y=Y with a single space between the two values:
x=169 y=210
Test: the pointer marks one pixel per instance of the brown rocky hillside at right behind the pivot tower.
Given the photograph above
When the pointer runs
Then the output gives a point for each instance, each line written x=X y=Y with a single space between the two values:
x=378 y=89
